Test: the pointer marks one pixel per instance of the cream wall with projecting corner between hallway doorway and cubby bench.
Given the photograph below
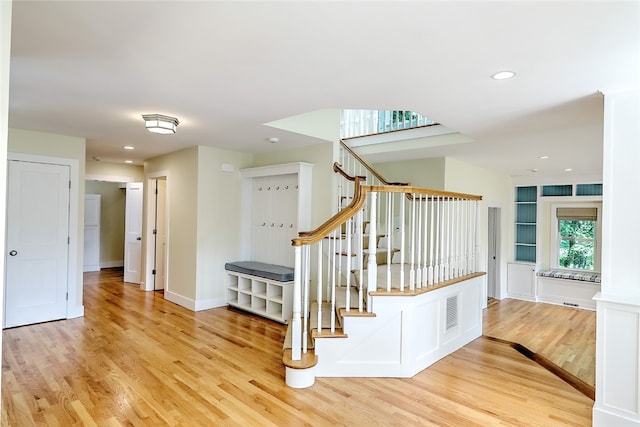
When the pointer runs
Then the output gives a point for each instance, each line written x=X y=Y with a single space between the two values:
x=204 y=228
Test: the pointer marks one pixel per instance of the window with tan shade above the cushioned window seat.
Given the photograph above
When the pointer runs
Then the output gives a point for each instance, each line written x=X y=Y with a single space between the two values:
x=577 y=236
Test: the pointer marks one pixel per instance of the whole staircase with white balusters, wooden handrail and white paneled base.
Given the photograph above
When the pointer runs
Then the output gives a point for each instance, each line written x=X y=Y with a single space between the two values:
x=388 y=285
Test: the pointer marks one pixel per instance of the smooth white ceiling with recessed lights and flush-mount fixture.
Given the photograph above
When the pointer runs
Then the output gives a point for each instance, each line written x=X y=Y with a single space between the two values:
x=91 y=68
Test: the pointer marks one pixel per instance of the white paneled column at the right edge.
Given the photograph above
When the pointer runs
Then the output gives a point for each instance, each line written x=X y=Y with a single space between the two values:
x=618 y=305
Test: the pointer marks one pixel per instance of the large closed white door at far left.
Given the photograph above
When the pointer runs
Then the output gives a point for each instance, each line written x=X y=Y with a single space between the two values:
x=37 y=243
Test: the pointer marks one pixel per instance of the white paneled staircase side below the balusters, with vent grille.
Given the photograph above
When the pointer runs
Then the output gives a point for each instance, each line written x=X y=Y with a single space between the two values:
x=407 y=334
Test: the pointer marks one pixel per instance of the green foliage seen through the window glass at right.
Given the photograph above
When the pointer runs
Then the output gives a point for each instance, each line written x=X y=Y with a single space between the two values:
x=577 y=244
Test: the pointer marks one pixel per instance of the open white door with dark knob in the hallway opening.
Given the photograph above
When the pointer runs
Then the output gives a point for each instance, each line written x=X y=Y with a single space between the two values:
x=133 y=232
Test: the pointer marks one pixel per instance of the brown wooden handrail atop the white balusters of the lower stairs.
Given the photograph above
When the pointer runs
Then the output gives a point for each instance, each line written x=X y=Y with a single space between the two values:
x=359 y=196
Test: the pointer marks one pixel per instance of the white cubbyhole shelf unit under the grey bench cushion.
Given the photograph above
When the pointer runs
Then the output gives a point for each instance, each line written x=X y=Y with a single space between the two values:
x=267 y=298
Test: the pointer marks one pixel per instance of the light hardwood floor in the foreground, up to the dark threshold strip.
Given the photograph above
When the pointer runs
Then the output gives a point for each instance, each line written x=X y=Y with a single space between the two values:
x=136 y=359
